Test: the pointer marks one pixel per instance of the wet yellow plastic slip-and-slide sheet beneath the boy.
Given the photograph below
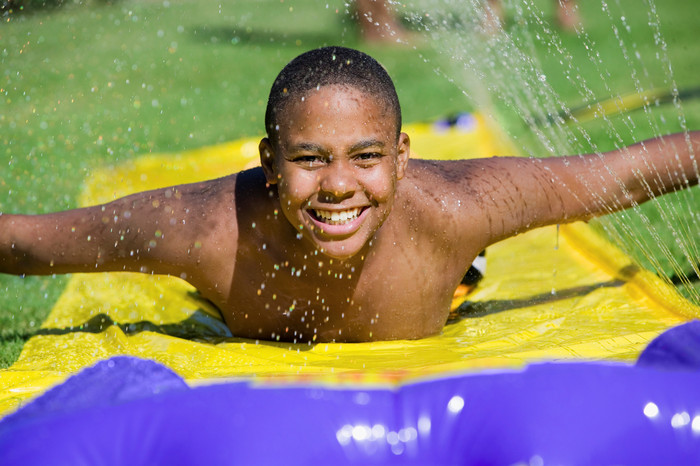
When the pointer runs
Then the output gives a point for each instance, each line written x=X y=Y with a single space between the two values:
x=550 y=294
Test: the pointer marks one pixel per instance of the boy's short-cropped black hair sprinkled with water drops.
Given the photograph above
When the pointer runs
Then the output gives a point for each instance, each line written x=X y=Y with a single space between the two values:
x=328 y=66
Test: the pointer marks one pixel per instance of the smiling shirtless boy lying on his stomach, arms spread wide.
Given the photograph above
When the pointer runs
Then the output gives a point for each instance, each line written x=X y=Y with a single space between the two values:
x=339 y=236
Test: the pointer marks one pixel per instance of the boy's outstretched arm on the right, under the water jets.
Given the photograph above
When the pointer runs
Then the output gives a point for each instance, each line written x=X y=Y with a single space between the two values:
x=515 y=194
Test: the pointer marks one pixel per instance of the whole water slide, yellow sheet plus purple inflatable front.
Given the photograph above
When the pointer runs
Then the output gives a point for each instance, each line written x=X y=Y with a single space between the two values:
x=540 y=364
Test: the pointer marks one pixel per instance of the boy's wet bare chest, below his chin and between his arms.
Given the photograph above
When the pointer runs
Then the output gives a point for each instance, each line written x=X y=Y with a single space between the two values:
x=388 y=295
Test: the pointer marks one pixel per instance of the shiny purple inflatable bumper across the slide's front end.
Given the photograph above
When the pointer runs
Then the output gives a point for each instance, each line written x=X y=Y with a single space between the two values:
x=126 y=411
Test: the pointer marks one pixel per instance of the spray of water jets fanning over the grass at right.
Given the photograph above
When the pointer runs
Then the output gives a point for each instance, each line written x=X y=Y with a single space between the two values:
x=622 y=86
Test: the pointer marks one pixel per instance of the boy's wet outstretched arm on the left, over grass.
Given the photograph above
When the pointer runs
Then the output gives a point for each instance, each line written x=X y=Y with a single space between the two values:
x=165 y=231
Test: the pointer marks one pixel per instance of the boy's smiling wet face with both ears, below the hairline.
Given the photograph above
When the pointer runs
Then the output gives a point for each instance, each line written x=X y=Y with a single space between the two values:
x=336 y=162
